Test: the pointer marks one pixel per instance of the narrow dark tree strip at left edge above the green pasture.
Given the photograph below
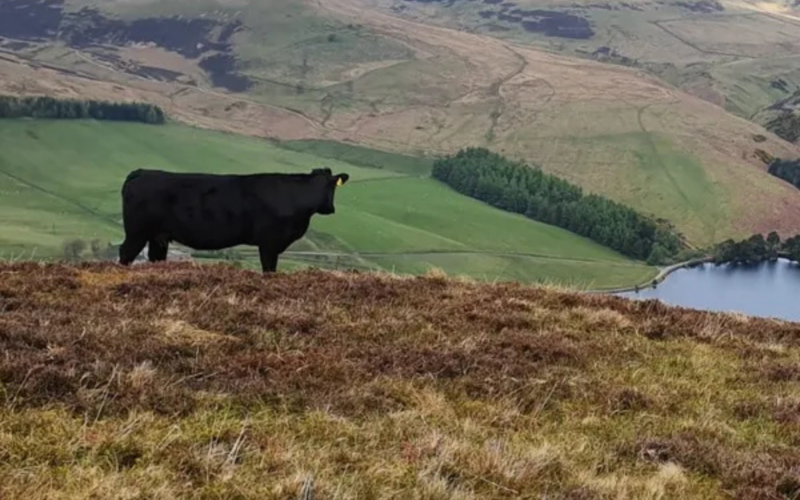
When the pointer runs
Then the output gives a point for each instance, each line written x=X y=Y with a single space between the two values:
x=52 y=108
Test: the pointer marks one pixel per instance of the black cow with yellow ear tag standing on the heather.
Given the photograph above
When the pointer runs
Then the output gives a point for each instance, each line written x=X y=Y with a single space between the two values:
x=212 y=212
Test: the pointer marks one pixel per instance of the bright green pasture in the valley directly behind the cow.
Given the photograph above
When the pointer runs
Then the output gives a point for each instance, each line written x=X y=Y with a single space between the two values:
x=62 y=180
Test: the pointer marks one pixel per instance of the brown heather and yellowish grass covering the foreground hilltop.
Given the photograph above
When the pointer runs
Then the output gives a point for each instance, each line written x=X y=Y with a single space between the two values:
x=180 y=381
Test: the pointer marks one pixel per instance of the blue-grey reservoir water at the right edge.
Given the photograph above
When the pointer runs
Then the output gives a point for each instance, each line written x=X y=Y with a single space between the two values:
x=769 y=289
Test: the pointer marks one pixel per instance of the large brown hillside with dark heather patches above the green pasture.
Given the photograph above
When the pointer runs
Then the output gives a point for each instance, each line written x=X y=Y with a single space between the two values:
x=342 y=70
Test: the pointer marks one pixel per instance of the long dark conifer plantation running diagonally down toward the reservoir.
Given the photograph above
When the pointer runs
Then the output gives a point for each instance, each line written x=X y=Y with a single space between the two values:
x=516 y=187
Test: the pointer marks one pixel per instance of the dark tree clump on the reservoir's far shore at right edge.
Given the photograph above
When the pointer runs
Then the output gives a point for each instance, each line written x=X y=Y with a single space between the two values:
x=757 y=249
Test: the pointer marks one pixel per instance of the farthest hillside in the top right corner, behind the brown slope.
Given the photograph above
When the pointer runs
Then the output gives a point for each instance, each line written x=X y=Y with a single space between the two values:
x=739 y=54
